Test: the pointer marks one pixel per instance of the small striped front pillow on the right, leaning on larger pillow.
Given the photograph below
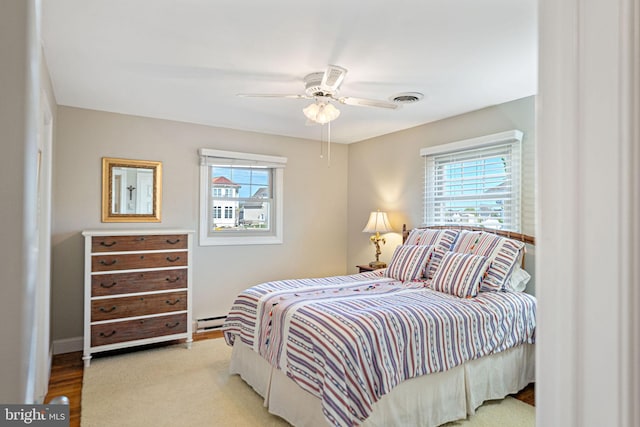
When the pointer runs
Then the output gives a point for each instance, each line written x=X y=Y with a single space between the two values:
x=460 y=274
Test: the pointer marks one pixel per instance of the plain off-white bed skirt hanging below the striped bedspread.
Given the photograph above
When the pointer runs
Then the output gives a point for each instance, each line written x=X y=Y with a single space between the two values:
x=430 y=400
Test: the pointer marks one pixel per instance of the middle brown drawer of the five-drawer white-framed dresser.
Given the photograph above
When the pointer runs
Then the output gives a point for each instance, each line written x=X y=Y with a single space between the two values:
x=145 y=281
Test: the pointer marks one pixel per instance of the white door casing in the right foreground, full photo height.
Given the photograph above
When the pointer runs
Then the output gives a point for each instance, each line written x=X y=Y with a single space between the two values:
x=588 y=186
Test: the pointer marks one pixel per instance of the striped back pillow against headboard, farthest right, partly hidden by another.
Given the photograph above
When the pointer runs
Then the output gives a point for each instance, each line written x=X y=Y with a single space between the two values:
x=504 y=255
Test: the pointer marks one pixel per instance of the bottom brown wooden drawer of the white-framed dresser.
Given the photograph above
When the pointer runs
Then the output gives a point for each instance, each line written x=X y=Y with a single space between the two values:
x=115 y=332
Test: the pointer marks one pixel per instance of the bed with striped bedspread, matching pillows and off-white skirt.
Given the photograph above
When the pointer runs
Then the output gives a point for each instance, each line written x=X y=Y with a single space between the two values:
x=425 y=341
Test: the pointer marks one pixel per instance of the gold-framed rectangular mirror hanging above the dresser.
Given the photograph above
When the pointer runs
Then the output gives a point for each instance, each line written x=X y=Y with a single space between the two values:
x=131 y=190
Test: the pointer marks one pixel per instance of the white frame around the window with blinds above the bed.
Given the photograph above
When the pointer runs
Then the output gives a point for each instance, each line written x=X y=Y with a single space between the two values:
x=512 y=138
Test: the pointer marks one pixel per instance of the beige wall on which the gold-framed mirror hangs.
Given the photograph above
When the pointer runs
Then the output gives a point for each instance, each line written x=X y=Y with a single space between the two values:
x=315 y=206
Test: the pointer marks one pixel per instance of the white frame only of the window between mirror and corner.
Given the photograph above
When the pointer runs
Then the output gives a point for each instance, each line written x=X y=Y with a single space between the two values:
x=240 y=237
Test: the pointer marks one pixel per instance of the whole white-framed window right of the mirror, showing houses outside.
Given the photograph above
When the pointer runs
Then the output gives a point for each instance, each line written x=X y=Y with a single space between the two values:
x=241 y=198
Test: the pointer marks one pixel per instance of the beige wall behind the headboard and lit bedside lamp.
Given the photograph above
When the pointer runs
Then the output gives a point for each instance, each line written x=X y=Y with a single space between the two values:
x=387 y=173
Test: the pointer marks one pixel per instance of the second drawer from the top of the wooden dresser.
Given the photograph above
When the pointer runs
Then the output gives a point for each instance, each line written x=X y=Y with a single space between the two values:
x=134 y=261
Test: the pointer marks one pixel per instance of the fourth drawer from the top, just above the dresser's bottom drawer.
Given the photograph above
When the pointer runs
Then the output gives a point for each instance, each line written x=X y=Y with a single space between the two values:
x=118 y=308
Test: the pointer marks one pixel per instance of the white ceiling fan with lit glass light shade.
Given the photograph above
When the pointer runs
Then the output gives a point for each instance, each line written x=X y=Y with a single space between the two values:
x=323 y=88
